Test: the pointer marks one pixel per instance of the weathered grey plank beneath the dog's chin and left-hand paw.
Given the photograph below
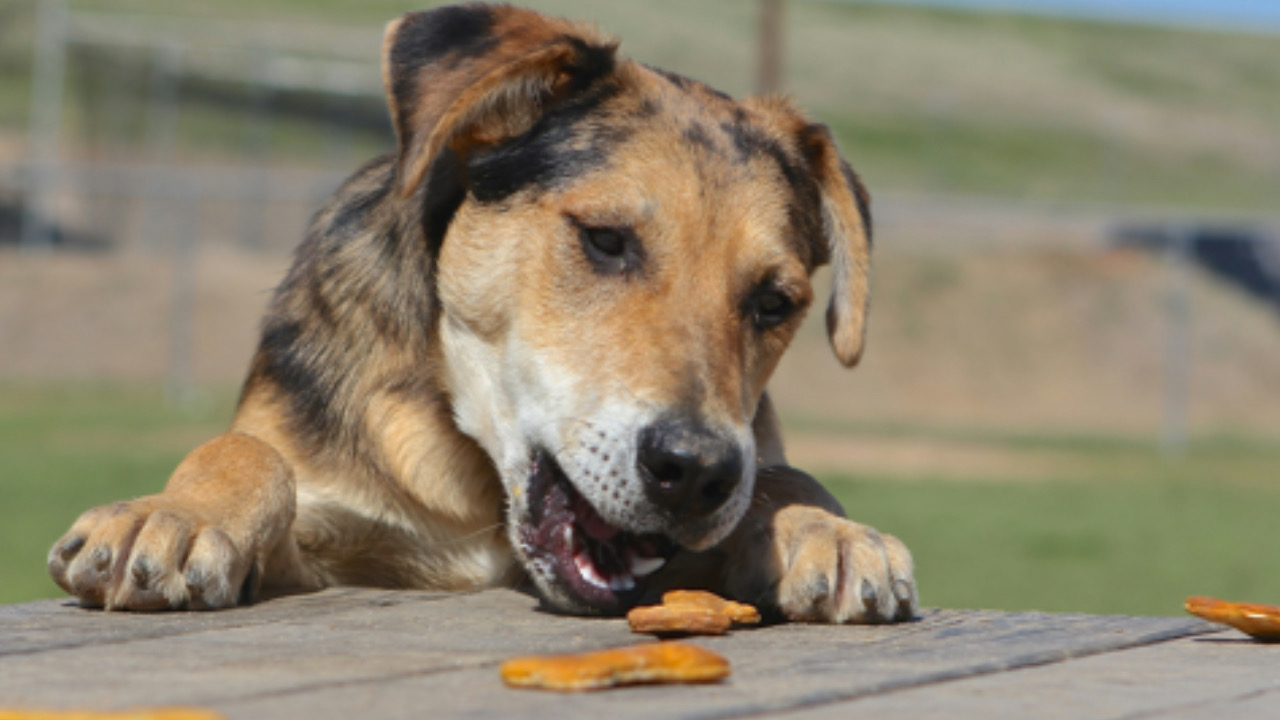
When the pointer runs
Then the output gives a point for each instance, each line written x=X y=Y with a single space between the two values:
x=289 y=645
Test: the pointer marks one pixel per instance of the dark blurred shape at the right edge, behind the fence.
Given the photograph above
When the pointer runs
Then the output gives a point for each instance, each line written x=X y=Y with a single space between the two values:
x=1247 y=257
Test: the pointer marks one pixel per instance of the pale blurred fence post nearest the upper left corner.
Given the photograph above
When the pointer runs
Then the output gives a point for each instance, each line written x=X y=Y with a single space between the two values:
x=44 y=135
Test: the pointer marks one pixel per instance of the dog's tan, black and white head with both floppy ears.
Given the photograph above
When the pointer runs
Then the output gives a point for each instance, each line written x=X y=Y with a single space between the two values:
x=621 y=258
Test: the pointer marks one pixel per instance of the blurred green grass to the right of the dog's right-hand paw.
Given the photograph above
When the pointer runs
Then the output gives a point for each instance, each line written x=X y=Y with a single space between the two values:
x=1098 y=546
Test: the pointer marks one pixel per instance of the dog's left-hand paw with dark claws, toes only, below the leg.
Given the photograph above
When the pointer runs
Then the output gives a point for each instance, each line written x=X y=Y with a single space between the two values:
x=149 y=555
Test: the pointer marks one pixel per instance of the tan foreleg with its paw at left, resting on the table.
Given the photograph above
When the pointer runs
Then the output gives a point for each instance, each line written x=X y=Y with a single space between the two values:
x=220 y=528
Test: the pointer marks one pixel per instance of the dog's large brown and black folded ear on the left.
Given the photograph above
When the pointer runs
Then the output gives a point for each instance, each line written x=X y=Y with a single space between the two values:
x=470 y=75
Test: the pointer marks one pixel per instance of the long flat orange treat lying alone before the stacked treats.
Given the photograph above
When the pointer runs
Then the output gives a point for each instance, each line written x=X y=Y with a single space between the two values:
x=638 y=664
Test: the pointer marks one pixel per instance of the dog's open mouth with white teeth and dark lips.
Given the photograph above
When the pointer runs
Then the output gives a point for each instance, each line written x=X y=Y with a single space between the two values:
x=595 y=563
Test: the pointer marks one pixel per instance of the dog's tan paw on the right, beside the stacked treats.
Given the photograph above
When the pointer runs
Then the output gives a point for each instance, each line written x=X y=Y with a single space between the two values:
x=835 y=571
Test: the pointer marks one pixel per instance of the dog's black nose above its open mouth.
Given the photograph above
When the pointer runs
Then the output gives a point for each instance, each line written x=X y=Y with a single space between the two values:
x=687 y=470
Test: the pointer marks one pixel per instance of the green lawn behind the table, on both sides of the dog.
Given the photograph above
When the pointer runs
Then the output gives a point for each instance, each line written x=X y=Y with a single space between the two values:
x=1116 y=530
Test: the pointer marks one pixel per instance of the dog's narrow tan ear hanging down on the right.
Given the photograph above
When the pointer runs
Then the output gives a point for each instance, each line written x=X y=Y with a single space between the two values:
x=848 y=231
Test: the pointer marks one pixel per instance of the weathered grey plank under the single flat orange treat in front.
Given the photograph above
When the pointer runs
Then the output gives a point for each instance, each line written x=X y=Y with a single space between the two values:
x=775 y=669
